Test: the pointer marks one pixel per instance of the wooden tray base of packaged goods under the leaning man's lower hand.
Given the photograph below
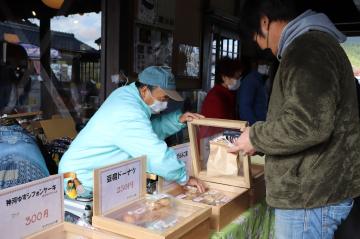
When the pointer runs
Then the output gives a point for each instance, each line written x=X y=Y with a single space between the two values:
x=232 y=201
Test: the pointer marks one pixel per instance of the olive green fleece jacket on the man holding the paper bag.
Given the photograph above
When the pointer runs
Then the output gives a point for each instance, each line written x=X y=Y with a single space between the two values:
x=311 y=135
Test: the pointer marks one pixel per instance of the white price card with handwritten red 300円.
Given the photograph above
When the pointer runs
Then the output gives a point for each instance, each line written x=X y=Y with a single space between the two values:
x=31 y=207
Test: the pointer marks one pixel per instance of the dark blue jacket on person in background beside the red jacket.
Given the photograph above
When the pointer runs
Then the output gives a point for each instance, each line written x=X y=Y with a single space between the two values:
x=251 y=98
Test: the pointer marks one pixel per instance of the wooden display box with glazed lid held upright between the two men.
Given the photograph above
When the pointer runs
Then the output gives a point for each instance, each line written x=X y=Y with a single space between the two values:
x=243 y=188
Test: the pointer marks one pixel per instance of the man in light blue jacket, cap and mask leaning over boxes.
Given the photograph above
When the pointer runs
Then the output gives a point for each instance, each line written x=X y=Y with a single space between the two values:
x=122 y=129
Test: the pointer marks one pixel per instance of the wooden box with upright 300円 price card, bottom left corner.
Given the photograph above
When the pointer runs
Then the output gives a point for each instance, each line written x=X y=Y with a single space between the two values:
x=36 y=210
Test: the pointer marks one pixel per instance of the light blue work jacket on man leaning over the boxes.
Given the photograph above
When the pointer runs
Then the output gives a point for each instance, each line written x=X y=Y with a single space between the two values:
x=122 y=129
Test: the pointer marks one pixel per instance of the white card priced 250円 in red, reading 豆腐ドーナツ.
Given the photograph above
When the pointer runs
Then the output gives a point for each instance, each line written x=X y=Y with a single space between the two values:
x=120 y=184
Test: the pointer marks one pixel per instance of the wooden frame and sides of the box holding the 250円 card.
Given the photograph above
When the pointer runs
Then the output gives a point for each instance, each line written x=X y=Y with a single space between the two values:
x=193 y=219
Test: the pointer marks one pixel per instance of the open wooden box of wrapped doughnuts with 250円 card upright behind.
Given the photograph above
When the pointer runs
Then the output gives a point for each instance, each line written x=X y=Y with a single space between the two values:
x=140 y=216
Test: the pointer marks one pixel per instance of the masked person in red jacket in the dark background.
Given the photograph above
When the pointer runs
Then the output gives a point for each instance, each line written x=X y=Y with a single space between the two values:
x=220 y=102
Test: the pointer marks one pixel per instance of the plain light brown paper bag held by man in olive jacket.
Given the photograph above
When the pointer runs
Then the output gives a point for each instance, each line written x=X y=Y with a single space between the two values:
x=220 y=162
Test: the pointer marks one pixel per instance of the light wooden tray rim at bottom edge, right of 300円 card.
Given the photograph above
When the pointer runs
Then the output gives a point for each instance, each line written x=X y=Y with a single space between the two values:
x=71 y=231
